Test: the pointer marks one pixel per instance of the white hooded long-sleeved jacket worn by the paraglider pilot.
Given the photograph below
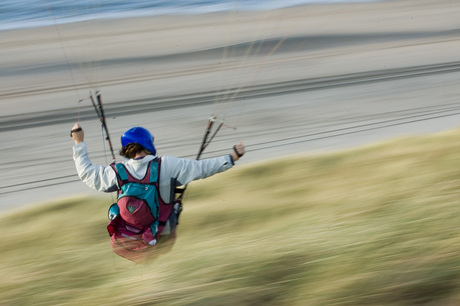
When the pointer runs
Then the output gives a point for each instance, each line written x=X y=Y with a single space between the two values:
x=174 y=171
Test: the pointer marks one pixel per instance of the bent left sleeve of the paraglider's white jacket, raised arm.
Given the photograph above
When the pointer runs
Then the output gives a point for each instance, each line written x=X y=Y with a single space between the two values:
x=100 y=178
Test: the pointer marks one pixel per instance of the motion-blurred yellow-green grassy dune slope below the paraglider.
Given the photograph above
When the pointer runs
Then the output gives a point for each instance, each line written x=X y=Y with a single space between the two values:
x=377 y=225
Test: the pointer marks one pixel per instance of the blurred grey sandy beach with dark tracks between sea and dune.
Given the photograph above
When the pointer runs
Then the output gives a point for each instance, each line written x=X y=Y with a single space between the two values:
x=303 y=80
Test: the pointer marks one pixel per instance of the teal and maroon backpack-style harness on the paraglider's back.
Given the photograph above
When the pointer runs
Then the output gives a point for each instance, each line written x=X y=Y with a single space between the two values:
x=140 y=215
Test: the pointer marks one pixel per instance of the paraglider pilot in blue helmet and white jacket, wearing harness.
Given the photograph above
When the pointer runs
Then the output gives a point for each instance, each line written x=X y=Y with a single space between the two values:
x=146 y=209
